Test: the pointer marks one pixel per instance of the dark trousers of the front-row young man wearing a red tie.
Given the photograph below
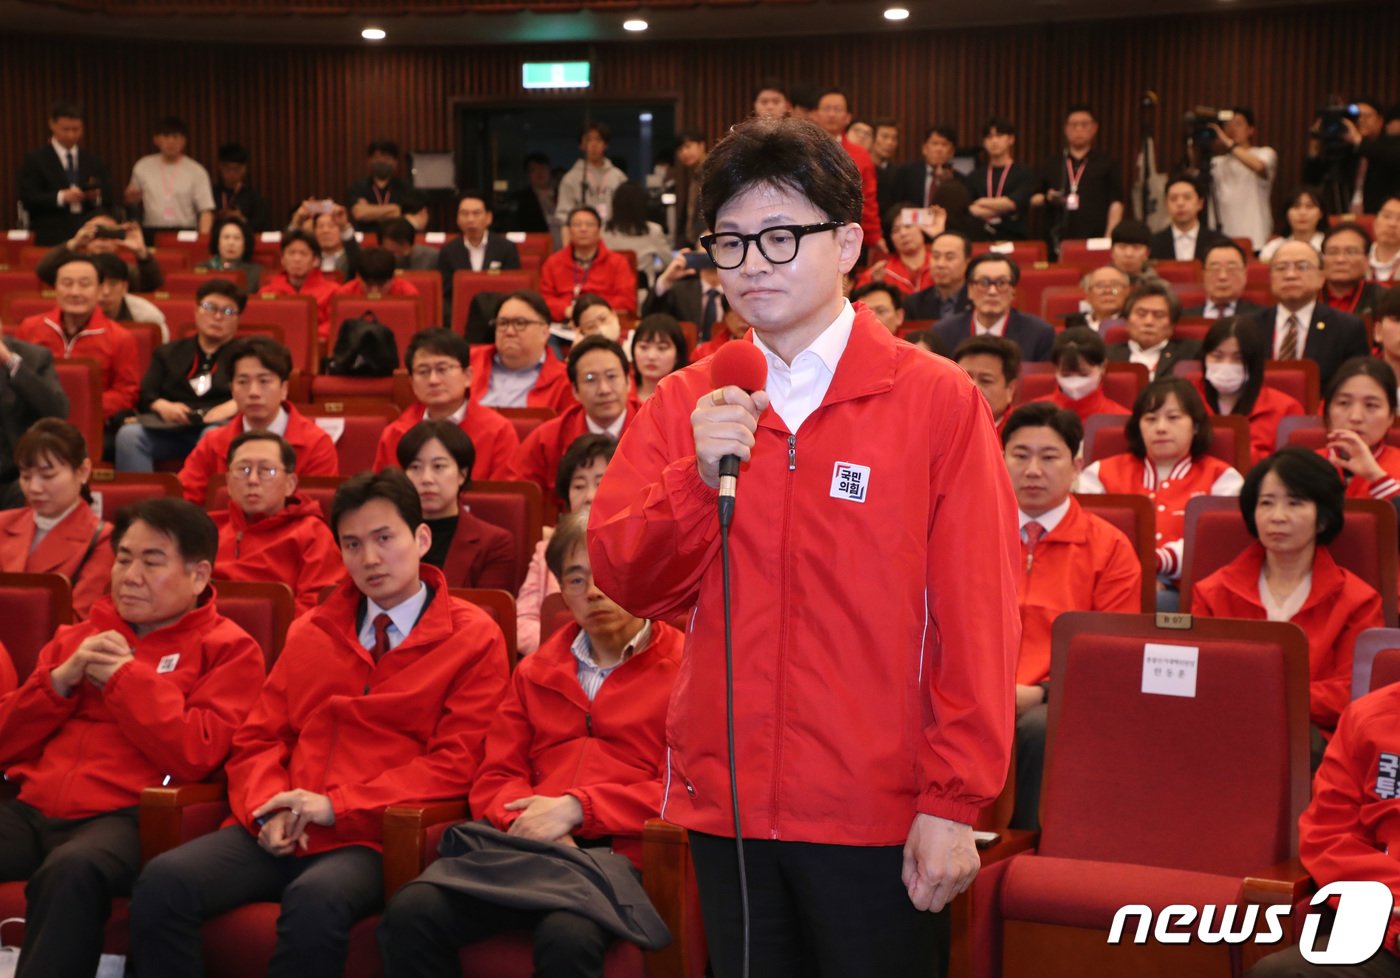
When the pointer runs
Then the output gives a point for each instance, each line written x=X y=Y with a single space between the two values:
x=323 y=898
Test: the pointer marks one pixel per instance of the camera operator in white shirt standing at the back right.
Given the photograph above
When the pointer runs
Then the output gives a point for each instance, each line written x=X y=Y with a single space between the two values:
x=1244 y=178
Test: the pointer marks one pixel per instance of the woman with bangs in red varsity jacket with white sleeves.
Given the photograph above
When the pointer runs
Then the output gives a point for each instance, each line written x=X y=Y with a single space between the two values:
x=1168 y=436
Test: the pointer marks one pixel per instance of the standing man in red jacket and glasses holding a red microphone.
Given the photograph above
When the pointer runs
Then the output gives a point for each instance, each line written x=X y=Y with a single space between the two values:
x=874 y=573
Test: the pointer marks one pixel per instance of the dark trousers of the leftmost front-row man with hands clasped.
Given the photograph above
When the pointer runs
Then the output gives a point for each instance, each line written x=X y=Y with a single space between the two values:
x=75 y=868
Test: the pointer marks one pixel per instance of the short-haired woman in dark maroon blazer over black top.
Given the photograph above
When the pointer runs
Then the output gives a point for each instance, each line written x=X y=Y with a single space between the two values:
x=437 y=457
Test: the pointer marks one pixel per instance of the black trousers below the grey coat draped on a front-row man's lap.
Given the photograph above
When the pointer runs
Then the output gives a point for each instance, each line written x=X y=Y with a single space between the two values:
x=426 y=926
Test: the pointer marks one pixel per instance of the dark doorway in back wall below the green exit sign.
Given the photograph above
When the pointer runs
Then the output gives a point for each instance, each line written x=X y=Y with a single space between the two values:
x=493 y=141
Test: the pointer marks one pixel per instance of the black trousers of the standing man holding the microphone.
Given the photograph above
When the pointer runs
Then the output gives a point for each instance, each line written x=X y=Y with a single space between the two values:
x=835 y=912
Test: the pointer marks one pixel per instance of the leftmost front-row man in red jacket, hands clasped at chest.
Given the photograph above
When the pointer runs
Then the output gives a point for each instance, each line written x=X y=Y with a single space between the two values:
x=150 y=688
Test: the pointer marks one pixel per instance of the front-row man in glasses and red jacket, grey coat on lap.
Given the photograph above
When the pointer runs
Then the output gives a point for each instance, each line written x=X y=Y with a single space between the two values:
x=576 y=756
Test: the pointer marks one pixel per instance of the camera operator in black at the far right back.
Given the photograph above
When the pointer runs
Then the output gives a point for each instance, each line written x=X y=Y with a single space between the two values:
x=1354 y=156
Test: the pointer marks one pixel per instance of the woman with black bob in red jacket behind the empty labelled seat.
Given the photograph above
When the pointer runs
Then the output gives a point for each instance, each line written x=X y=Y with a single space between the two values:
x=1293 y=506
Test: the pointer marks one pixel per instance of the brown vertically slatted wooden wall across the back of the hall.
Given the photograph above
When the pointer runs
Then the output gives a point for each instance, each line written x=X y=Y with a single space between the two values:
x=307 y=113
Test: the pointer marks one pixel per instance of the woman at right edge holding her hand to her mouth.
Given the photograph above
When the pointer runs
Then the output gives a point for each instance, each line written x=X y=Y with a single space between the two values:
x=1360 y=409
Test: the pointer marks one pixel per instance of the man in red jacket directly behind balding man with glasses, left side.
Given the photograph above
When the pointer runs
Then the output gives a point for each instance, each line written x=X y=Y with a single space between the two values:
x=260 y=369
